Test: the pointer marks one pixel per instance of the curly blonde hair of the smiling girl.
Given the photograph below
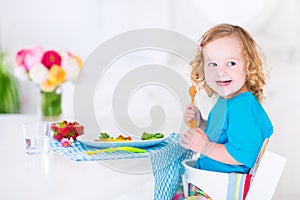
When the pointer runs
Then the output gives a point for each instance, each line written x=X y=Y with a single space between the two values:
x=251 y=53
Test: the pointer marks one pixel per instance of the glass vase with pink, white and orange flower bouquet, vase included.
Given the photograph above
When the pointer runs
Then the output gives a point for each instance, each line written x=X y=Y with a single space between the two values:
x=48 y=69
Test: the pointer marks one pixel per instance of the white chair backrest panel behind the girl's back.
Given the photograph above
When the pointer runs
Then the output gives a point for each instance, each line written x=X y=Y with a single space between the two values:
x=266 y=176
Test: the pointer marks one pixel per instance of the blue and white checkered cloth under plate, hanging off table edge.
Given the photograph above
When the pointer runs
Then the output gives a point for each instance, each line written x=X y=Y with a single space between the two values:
x=165 y=157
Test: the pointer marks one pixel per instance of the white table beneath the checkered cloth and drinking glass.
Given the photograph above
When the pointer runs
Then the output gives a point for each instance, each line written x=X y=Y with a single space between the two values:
x=52 y=176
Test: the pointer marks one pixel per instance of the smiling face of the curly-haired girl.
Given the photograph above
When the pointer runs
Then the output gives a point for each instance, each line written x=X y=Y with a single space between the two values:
x=224 y=67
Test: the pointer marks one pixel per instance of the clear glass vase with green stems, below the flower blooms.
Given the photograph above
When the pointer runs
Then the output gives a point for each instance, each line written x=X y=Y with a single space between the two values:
x=51 y=105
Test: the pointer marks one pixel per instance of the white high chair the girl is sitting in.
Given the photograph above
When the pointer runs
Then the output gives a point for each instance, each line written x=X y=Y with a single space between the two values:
x=266 y=175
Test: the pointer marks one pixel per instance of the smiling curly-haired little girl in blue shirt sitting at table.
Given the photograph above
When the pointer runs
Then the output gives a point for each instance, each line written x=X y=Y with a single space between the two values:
x=228 y=65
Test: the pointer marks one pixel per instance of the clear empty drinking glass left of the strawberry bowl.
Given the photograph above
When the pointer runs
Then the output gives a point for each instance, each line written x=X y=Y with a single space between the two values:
x=37 y=137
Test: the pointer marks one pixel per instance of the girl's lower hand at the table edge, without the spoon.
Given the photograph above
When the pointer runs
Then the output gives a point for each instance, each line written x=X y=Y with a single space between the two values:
x=195 y=140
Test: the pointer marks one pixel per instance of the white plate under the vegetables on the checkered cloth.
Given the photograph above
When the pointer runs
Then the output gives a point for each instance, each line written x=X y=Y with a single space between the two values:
x=133 y=143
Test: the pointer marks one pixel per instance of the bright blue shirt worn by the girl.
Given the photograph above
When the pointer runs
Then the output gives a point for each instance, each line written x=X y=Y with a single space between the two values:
x=242 y=125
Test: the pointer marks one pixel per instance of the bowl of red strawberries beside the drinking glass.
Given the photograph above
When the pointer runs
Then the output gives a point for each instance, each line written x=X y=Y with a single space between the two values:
x=68 y=130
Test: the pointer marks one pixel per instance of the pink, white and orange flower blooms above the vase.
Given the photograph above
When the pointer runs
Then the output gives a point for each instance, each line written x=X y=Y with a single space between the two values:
x=47 y=68
